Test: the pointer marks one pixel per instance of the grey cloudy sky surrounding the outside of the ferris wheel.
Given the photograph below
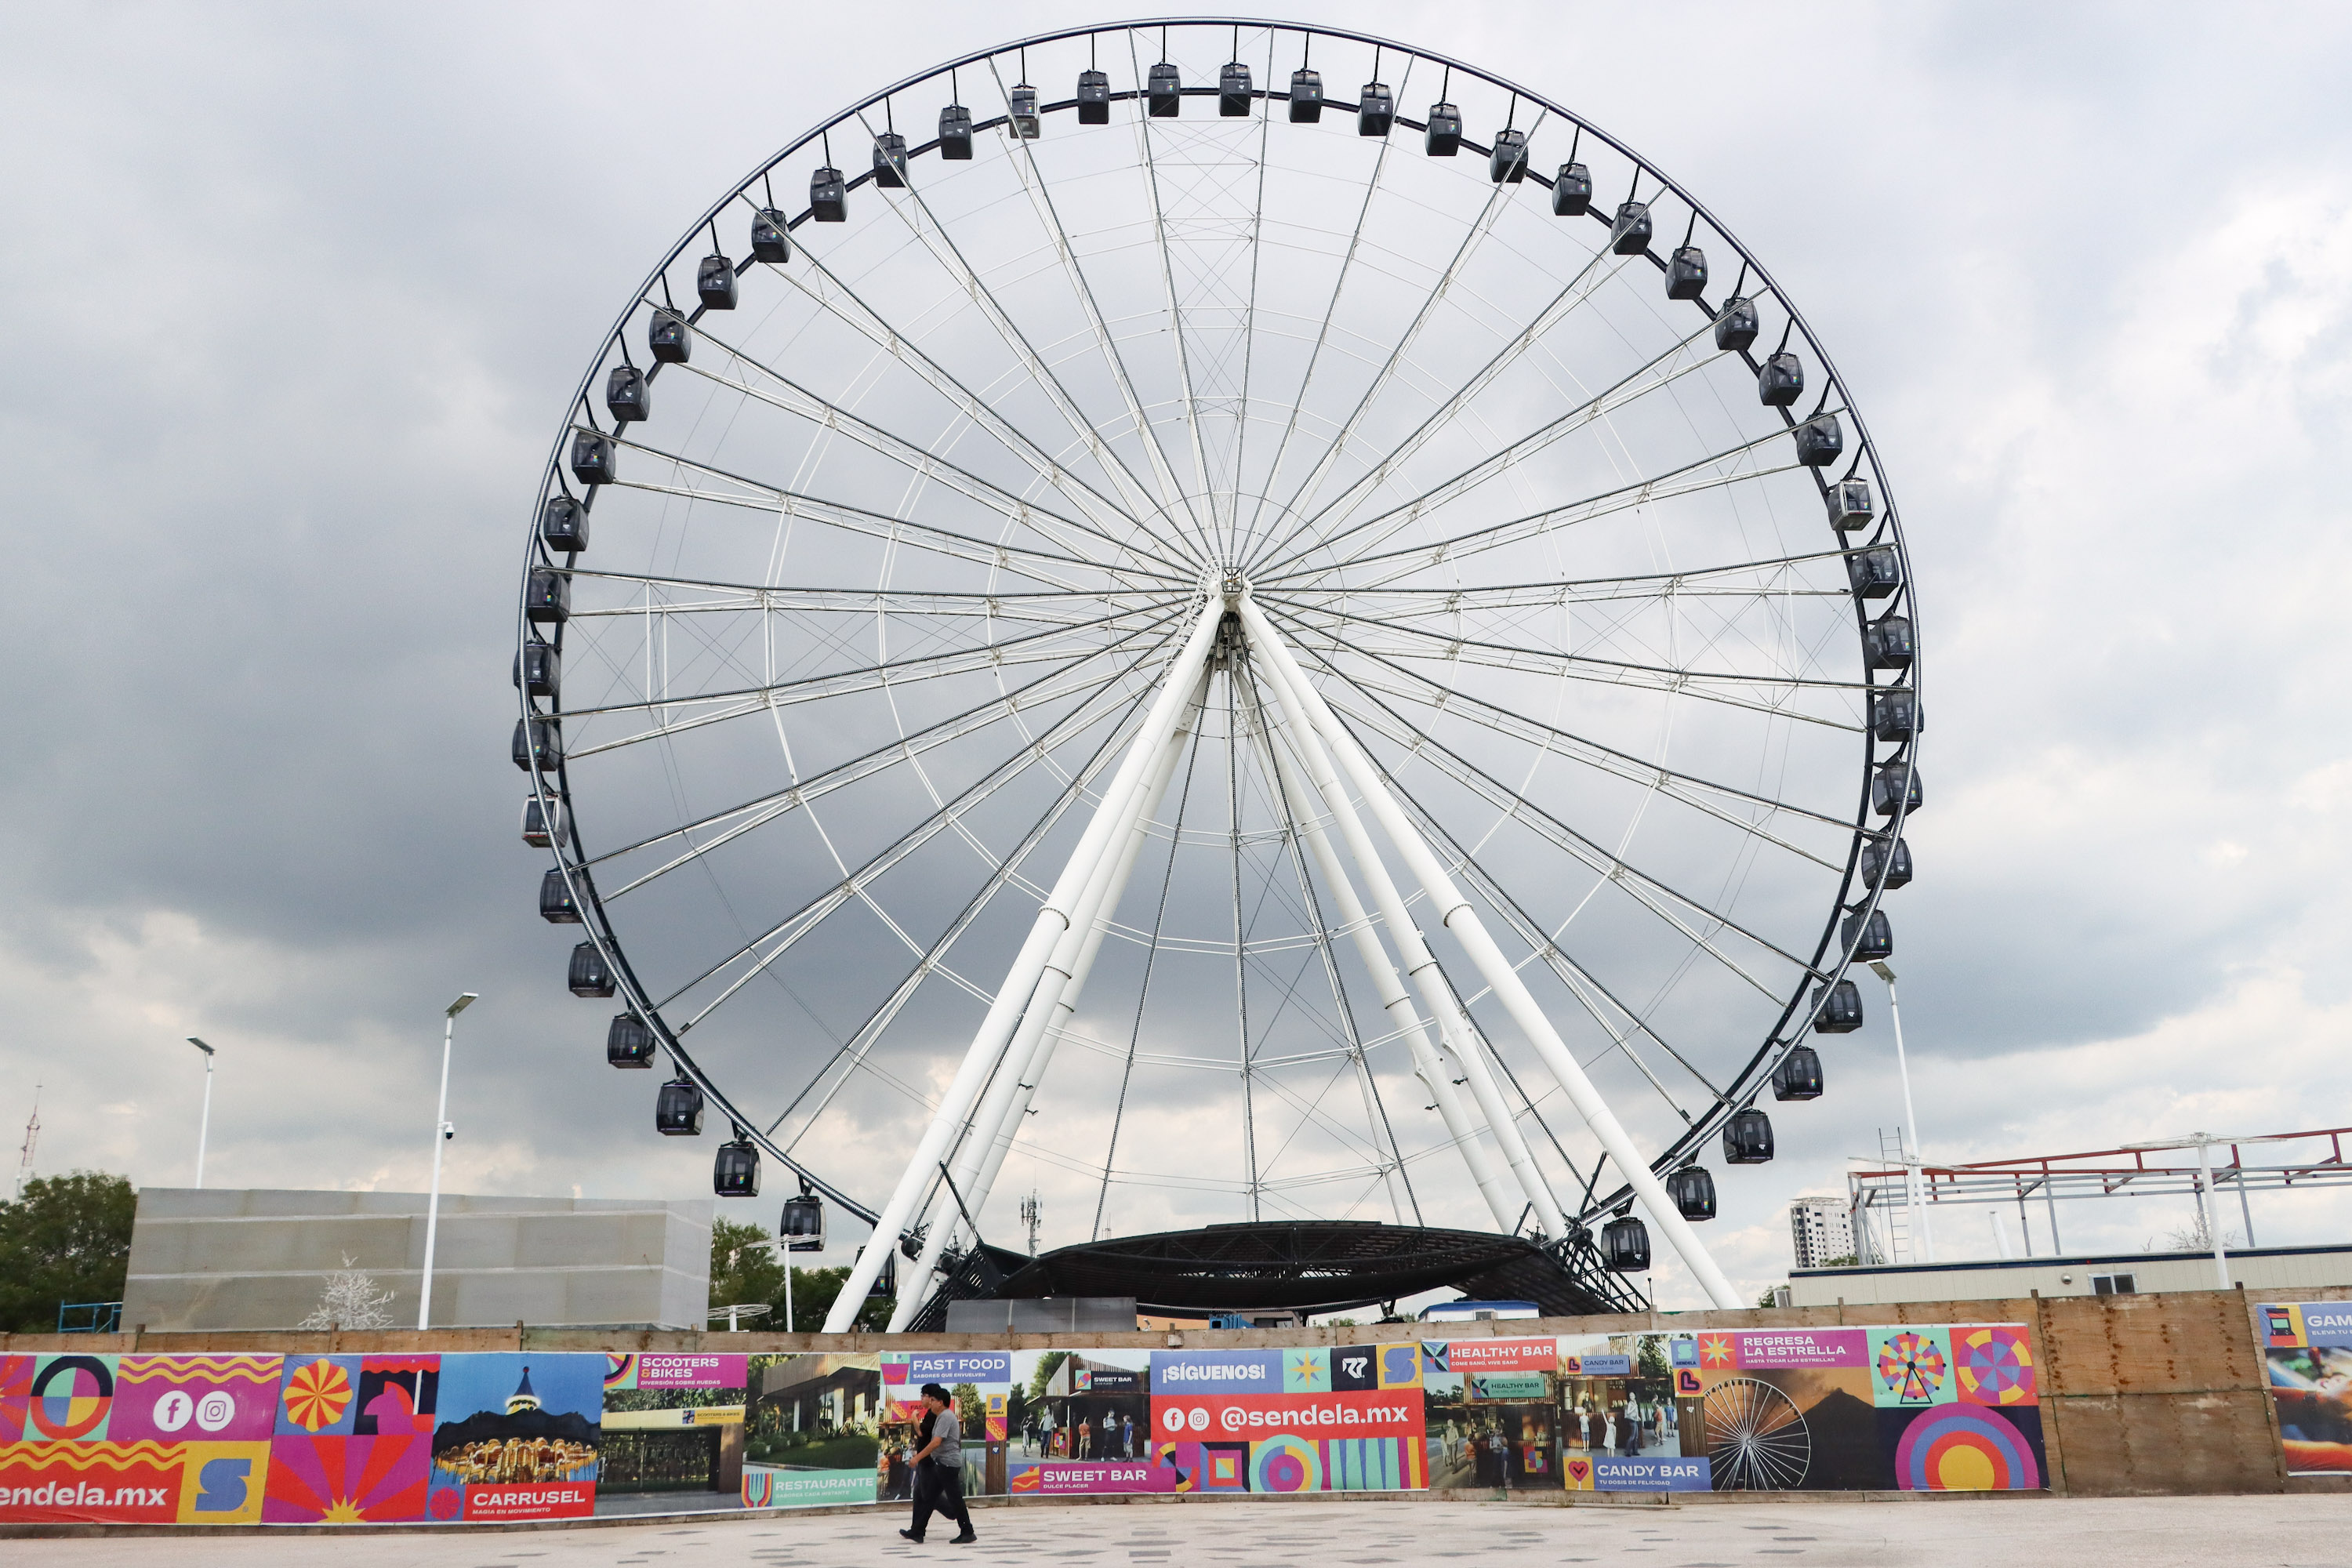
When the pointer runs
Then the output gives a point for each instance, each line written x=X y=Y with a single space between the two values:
x=295 y=297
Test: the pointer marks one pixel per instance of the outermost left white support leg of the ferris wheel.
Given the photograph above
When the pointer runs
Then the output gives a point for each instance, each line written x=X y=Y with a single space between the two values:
x=1022 y=979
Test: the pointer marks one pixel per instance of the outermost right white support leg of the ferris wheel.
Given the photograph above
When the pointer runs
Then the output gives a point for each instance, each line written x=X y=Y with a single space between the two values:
x=1471 y=932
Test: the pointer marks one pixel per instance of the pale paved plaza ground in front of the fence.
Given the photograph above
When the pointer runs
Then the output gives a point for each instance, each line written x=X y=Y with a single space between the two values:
x=1935 y=1534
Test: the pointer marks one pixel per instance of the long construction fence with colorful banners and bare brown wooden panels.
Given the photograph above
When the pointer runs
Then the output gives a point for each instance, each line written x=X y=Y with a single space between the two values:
x=2130 y=1395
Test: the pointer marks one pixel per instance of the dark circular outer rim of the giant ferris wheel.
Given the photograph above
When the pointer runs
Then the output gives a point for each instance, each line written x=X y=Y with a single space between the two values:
x=1857 y=899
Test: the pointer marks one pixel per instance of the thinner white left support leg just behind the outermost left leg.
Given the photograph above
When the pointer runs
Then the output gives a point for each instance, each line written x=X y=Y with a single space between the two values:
x=1031 y=1045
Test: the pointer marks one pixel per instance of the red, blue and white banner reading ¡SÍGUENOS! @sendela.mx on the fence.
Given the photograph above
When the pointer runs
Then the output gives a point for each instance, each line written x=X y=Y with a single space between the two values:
x=1288 y=1421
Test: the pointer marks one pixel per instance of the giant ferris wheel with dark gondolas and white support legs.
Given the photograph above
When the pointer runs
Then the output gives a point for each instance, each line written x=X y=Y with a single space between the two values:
x=1259 y=652
